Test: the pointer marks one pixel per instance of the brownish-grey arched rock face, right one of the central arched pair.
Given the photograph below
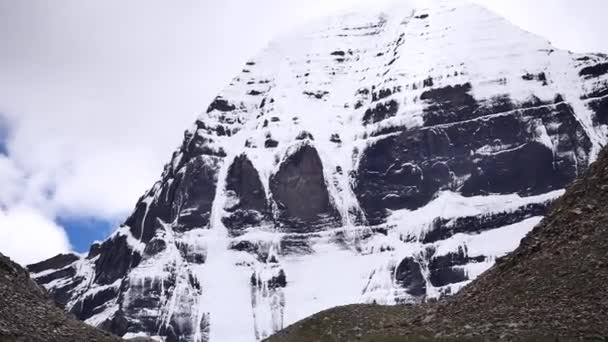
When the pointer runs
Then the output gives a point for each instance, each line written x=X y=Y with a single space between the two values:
x=299 y=190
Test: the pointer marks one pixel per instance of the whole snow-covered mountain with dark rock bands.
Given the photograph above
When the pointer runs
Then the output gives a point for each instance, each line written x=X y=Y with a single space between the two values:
x=372 y=157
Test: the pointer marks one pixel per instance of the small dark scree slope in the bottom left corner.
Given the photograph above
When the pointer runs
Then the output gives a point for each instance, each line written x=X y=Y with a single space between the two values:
x=28 y=314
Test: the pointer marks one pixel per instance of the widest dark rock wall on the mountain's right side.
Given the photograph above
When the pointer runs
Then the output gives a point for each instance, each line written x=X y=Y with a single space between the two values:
x=495 y=155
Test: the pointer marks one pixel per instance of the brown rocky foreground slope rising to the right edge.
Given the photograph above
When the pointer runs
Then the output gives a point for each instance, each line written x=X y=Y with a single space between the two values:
x=552 y=287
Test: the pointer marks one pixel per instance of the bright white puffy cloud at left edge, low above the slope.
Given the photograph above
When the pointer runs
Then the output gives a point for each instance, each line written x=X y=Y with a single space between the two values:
x=28 y=237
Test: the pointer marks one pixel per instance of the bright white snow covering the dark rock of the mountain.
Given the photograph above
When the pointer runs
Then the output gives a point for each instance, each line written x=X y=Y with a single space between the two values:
x=309 y=81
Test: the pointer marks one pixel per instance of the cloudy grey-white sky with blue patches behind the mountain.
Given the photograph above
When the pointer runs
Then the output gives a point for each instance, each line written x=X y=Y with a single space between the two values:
x=95 y=95
